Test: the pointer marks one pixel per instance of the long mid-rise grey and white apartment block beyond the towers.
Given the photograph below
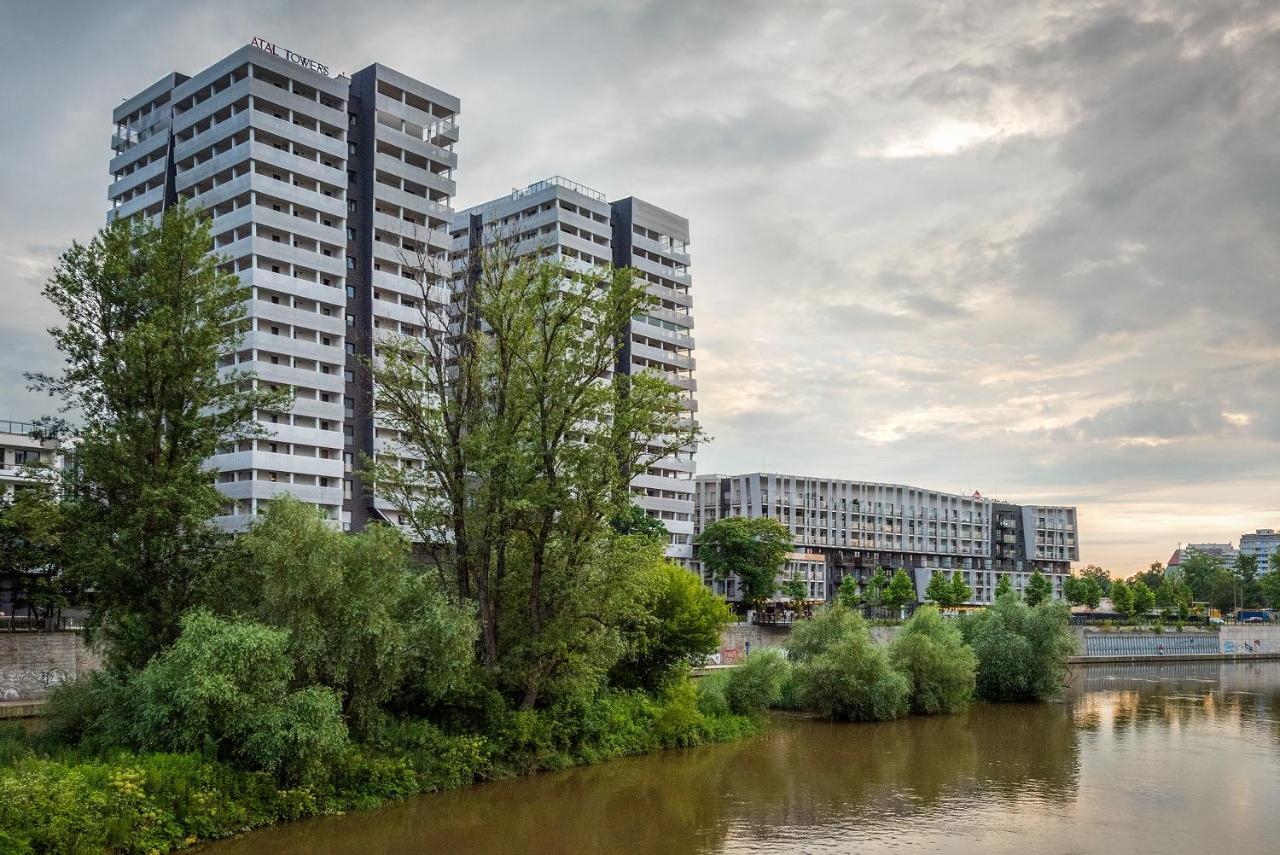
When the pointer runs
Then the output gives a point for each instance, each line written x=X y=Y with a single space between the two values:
x=862 y=528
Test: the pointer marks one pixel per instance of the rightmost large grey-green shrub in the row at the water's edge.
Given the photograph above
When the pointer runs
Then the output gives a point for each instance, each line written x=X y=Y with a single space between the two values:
x=1022 y=651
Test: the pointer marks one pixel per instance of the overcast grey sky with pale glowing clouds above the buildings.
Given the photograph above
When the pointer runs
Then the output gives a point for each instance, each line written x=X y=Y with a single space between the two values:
x=1023 y=249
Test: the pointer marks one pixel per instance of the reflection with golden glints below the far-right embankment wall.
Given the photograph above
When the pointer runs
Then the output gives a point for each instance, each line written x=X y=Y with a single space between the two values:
x=1136 y=698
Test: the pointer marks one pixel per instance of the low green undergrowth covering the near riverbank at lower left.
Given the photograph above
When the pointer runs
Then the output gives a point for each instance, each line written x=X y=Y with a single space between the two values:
x=56 y=799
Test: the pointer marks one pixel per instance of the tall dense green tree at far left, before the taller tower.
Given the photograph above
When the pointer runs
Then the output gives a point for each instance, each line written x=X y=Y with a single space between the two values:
x=148 y=319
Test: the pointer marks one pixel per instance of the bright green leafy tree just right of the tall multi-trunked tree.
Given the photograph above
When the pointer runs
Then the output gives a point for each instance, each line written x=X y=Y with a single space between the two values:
x=680 y=625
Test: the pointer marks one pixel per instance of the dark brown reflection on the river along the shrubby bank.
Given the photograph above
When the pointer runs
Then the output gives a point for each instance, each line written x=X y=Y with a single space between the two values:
x=802 y=774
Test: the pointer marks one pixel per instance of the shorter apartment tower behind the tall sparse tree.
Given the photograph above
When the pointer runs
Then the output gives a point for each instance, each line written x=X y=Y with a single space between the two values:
x=580 y=227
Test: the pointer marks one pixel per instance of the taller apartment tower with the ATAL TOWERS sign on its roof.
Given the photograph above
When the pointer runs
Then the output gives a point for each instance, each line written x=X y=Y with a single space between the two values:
x=319 y=188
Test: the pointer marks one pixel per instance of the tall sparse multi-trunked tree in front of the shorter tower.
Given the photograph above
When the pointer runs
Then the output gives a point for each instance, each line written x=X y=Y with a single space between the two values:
x=529 y=442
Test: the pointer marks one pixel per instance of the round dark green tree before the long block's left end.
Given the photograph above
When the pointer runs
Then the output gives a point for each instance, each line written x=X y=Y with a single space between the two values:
x=751 y=548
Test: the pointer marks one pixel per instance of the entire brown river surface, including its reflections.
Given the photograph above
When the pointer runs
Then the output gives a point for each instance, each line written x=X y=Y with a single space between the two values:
x=1178 y=760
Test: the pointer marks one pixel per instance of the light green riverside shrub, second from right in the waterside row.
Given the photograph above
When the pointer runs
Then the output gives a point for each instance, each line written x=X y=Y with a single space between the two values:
x=941 y=667
